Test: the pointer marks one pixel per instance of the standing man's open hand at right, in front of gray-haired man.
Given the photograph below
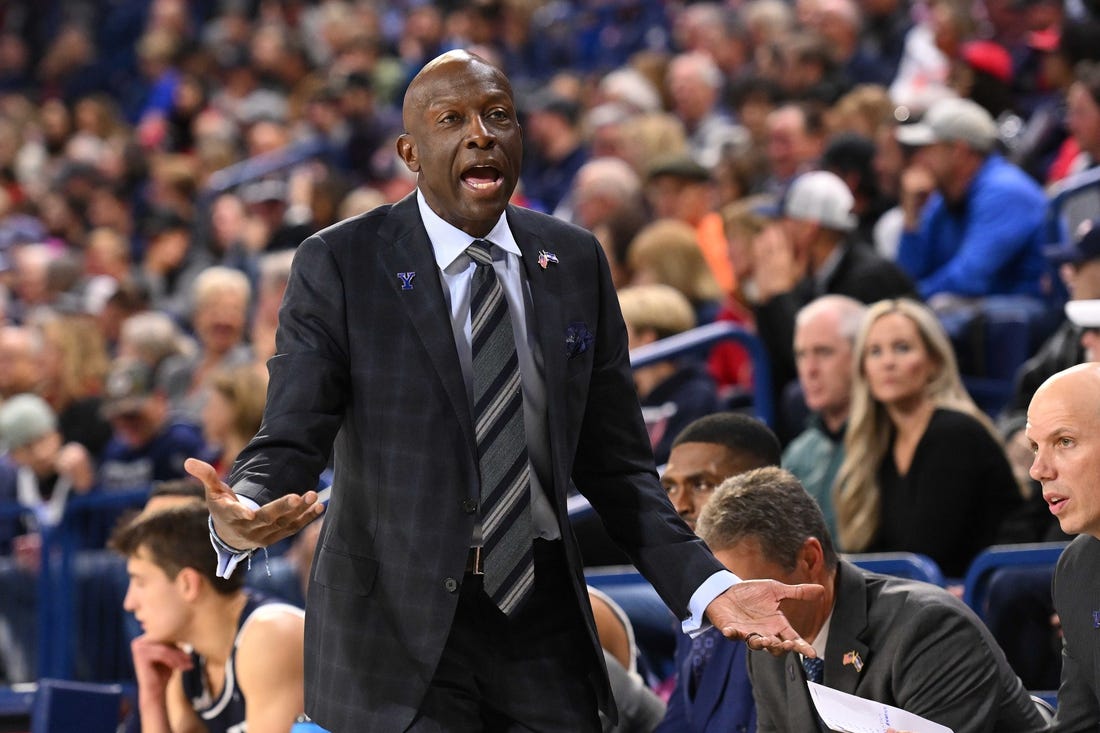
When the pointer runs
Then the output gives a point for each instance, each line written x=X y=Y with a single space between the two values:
x=750 y=611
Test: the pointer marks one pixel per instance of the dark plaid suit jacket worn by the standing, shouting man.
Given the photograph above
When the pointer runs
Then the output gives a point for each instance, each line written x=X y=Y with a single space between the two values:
x=371 y=370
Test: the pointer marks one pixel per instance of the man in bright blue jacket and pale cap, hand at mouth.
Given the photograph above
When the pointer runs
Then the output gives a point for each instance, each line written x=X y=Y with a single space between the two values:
x=973 y=222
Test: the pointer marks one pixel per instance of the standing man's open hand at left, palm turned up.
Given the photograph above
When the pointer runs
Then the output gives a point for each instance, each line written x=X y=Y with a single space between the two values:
x=245 y=529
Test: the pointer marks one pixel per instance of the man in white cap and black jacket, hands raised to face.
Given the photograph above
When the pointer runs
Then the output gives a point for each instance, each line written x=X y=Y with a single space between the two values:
x=808 y=253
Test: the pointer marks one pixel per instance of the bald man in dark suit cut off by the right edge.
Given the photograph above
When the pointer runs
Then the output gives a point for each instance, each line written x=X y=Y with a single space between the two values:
x=1064 y=433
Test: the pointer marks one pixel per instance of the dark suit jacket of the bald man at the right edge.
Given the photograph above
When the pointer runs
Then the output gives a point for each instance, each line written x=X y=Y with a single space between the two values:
x=1077 y=601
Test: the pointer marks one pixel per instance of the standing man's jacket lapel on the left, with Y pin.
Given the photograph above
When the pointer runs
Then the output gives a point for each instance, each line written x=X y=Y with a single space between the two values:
x=408 y=249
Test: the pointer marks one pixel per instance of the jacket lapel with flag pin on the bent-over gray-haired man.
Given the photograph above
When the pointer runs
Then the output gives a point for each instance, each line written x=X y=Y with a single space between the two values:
x=846 y=631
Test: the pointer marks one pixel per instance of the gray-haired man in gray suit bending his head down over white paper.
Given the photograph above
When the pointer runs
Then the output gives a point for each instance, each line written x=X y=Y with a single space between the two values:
x=905 y=643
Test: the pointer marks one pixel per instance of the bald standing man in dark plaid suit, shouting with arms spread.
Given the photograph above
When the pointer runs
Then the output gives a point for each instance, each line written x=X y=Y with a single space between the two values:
x=467 y=363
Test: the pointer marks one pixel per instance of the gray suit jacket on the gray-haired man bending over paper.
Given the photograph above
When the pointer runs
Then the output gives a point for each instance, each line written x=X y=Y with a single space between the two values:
x=919 y=649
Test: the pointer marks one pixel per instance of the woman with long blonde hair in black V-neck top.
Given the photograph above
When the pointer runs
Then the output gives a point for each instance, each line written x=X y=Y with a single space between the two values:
x=923 y=471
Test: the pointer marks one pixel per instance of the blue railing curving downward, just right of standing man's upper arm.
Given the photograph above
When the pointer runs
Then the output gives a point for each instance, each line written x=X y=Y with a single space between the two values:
x=698 y=340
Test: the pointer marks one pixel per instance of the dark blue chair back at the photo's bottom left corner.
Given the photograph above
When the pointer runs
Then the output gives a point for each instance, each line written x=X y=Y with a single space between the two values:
x=67 y=707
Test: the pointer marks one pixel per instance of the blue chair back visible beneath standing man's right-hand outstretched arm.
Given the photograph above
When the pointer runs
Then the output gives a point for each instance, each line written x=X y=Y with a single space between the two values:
x=655 y=627
